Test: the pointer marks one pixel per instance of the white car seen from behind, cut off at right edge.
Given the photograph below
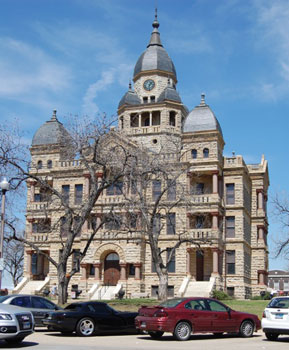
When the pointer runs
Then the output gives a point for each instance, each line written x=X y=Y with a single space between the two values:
x=275 y=319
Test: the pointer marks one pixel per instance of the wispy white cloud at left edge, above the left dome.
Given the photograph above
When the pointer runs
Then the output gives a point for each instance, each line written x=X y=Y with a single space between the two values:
x=24 y=69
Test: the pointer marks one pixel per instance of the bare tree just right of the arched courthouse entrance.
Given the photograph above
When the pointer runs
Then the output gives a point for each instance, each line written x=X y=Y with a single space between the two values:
x=155 y=188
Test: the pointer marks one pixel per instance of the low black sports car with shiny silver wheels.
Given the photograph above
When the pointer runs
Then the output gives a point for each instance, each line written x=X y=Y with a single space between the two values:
x=90 y=318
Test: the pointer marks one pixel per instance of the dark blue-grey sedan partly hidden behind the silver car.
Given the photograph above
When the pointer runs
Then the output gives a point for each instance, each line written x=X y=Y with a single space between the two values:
x=39 y=306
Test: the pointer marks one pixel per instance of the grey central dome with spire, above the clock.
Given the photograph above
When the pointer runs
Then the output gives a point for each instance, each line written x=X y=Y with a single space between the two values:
x=155 y=57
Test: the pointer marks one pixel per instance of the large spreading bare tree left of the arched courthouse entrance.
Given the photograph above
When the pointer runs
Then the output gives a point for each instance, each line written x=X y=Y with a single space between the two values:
x=98 y=151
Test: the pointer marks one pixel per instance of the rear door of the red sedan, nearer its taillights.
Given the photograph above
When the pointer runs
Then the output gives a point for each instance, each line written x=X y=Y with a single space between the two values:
x=199 y=316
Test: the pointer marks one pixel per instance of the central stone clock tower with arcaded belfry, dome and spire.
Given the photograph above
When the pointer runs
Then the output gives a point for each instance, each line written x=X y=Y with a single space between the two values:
x=151 y=112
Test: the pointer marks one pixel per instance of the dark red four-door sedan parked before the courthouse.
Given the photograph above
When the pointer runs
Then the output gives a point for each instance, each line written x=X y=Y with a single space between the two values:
x=184 y=316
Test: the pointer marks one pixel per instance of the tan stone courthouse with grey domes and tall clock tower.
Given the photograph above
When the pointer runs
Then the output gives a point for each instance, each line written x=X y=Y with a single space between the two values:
x=229 y=193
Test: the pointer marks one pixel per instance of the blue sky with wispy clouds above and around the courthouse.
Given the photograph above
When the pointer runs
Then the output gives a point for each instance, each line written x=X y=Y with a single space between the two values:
x=77 y=56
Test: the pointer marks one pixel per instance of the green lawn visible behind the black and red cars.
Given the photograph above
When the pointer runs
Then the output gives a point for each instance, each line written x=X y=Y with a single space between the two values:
x=253 y=306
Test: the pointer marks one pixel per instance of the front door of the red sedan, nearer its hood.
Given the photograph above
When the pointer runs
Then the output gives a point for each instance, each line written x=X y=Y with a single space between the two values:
x=221 y=317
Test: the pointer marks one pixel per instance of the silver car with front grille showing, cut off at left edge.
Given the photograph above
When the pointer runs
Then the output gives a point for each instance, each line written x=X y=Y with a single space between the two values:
x=15 y=324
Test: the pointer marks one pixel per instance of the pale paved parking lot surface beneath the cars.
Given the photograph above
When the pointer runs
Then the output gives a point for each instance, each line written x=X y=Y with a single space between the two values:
x=43 y=340
